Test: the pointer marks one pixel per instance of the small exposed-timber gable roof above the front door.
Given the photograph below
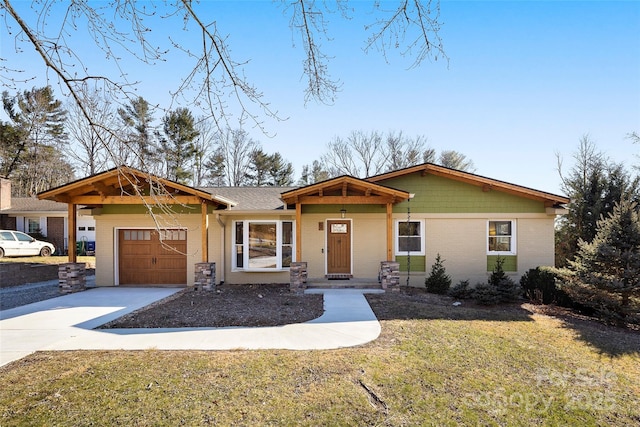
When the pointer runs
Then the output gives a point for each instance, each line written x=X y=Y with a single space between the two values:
x=344 y=190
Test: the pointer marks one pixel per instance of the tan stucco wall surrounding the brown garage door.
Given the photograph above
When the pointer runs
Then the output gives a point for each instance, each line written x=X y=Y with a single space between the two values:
x=106 y=261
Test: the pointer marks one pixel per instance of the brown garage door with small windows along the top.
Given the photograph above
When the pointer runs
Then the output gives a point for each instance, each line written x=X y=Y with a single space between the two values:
x=151 y=257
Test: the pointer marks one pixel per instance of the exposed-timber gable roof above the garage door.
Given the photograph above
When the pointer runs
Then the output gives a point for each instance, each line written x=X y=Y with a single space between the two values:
x=126 y=185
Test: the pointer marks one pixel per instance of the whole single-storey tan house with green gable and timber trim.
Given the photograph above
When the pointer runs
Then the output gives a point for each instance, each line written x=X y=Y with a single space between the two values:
x=342 y=228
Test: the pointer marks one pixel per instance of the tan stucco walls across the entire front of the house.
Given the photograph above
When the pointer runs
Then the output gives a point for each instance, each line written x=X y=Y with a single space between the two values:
x=460 y=239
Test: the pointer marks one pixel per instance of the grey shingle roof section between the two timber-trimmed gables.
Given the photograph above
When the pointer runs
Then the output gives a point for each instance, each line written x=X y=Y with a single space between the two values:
x=251 y=198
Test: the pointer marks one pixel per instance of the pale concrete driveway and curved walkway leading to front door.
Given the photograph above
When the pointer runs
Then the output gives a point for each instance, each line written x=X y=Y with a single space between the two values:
x=68 y=322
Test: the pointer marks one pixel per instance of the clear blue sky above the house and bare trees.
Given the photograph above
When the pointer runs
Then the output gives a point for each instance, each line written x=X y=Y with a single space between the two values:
x=525 y=80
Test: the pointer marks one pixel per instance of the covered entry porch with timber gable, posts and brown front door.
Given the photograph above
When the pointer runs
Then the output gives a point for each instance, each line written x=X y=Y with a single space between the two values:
x=344 y=228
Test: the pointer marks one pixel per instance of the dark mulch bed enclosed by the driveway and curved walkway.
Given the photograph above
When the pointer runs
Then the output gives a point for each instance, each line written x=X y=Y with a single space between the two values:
x=229 y=305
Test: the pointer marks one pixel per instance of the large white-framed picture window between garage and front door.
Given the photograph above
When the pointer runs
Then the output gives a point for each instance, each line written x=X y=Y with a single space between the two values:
x=263 y=245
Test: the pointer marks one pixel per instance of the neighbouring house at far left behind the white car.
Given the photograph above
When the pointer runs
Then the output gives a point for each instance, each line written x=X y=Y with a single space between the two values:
x=49 y=218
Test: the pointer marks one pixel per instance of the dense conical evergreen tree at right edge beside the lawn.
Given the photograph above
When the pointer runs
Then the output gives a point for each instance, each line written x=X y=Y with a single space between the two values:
x=605 y=274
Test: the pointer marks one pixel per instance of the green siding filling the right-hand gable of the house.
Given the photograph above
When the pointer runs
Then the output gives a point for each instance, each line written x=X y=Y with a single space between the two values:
x=434 y=194
